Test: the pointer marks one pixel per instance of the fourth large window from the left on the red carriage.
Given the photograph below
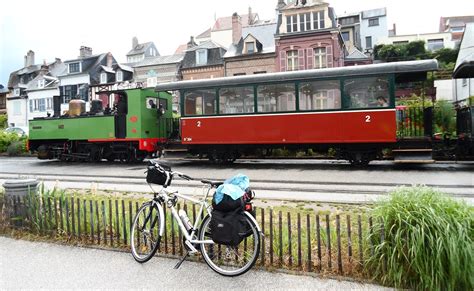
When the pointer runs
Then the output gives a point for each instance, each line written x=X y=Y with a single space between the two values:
x=320 y=95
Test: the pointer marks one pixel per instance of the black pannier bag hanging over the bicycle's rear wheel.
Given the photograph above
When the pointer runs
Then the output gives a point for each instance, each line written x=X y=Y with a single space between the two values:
x=229 y=228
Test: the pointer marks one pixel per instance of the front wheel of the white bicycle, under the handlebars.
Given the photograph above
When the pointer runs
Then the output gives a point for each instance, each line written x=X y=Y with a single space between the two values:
x=145 y=233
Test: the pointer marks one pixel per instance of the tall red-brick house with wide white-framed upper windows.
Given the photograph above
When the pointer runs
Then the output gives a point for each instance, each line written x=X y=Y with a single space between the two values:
x=307 y=36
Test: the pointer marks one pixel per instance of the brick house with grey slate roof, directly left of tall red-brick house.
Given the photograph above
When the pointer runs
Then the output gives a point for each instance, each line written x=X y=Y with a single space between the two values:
x=252 y=50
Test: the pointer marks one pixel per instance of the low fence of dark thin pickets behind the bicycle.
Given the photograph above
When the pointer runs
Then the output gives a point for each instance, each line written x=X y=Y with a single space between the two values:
x=302 y=241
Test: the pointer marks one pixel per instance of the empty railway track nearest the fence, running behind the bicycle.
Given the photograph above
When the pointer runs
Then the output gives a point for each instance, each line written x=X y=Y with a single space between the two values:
x=336 y=192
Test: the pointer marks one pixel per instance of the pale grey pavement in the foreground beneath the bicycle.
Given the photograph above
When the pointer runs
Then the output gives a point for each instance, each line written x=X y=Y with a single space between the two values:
x=28 y=265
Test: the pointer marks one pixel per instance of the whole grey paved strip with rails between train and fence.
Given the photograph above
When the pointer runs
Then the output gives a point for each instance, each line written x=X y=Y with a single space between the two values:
x=309 y=180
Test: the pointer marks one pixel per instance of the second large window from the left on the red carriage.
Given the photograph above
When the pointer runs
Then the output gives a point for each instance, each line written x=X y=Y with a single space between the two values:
x=236 y=100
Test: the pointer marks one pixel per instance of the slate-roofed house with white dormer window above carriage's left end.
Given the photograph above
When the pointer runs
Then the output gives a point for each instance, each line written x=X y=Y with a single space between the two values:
x=204 y=61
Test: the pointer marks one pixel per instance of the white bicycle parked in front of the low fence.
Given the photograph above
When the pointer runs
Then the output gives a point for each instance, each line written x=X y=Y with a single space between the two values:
x=149 y=225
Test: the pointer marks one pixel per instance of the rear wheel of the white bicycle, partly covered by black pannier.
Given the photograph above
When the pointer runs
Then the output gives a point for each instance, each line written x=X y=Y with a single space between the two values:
x=230 y=260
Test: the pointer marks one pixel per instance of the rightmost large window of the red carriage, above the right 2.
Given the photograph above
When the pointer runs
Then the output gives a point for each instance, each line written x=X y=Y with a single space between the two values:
x=367 y=92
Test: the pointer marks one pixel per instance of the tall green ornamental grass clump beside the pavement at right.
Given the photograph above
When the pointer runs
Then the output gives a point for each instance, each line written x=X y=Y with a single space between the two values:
x=423 y=240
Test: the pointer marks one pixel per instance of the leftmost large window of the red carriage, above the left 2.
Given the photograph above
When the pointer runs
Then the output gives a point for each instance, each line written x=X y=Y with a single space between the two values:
x=200 y=102
